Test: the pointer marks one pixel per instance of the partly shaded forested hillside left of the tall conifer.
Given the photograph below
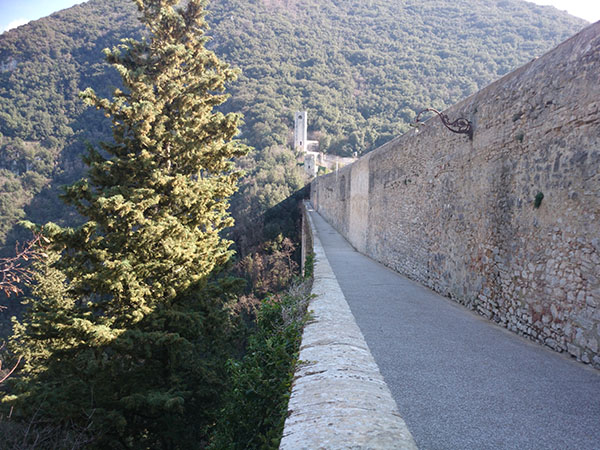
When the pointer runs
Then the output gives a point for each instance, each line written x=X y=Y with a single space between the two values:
x=43 y=123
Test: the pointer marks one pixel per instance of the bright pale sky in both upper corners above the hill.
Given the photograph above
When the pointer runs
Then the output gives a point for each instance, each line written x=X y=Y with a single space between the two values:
x=18 y=12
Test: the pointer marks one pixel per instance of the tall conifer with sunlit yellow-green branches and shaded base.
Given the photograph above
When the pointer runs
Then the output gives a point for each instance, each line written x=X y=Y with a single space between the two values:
x=124 y=334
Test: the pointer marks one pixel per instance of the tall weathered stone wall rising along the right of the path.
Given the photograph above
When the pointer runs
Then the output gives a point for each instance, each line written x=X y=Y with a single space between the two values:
x=461 y=216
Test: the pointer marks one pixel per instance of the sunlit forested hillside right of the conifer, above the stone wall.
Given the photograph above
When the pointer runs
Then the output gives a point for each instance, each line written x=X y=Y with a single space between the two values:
x=363 y=70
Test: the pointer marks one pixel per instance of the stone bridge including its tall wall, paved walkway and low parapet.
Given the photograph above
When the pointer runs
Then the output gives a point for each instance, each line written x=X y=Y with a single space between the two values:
x=506 y=225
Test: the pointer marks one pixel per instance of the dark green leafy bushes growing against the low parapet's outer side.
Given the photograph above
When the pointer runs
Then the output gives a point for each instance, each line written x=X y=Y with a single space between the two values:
x=260 y=383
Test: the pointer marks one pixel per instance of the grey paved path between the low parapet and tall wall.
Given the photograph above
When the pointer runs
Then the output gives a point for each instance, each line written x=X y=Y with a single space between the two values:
x=460 y=381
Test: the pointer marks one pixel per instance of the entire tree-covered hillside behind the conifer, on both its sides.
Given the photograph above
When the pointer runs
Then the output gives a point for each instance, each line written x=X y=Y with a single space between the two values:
x=361 y=68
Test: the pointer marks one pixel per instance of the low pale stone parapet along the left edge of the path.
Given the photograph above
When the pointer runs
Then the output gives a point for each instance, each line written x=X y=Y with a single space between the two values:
x=339 y=399
